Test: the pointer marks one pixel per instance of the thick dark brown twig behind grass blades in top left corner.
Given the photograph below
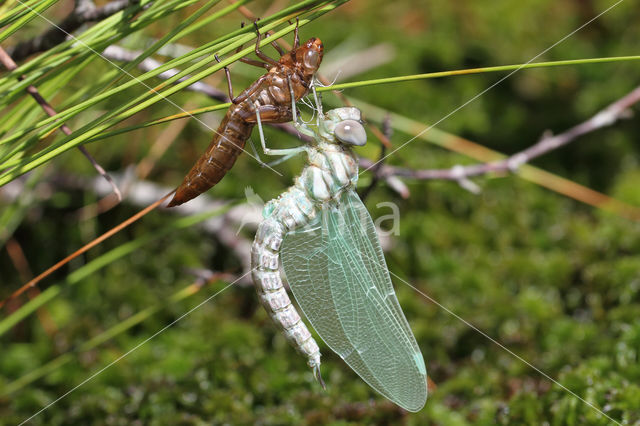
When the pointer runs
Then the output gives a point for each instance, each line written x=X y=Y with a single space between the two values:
x=84 y=12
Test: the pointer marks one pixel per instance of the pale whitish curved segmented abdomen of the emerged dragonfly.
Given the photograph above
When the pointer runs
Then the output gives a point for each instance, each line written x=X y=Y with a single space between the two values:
x=284 y=214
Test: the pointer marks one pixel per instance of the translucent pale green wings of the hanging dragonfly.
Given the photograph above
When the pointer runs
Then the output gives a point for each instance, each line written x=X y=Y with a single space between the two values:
x=339 y=277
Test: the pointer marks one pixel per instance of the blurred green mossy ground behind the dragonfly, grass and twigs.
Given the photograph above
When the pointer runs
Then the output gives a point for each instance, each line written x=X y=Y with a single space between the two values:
x=553 y=280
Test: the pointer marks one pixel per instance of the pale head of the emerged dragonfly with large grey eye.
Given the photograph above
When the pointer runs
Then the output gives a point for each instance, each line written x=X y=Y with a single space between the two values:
x=345 y=124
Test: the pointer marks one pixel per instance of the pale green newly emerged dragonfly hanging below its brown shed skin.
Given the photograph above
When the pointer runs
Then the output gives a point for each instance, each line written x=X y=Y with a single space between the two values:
x=323 y=236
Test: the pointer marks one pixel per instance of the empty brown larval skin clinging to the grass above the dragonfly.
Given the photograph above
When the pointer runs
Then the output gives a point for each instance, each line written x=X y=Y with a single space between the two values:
x=270 y=96
